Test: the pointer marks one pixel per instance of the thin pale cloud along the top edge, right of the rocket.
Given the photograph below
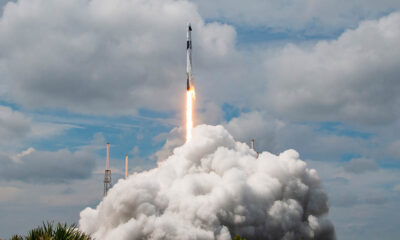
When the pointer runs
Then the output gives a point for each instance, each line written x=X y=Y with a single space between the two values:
x=313 y=17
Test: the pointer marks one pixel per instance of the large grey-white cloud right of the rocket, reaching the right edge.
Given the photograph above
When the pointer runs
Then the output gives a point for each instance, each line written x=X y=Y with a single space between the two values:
x=353 y=78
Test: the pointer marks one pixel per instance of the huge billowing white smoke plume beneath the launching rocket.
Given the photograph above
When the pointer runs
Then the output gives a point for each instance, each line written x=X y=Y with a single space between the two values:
x=214 y=188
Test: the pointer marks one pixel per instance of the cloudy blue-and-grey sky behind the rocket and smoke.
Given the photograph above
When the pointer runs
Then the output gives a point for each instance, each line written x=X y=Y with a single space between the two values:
x=321 y=77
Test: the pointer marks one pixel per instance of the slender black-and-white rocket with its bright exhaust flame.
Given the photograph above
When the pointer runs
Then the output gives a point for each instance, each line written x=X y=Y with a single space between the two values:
x=190 y=92
